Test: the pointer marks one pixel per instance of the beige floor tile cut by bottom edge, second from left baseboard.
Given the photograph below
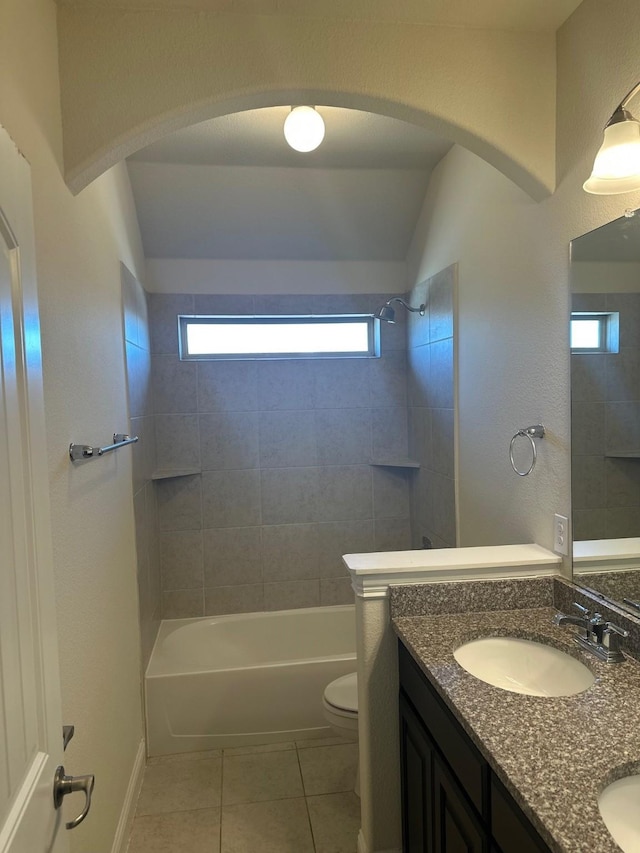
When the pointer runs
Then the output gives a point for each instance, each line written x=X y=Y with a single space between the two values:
x=276 y=827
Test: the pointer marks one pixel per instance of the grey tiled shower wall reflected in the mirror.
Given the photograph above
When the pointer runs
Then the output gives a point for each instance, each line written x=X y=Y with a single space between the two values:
x=605 y=417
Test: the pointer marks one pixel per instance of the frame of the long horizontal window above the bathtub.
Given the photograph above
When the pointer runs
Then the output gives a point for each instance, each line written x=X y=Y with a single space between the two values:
x=184 y=320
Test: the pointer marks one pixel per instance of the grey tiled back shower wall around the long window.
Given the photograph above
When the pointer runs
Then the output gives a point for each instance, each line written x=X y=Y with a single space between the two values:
x=285 y=448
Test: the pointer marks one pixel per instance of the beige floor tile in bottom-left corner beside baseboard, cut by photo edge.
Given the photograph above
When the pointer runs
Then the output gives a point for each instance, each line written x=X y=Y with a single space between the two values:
x=177 y=832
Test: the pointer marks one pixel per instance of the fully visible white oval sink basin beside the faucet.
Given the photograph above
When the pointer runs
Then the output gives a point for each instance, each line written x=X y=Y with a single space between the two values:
x=523 y=666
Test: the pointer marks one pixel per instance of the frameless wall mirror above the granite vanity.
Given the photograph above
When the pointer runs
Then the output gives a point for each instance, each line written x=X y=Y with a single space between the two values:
x=605 y=410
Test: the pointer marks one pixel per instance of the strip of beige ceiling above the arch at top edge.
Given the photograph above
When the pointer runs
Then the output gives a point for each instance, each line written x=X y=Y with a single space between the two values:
x=523 y=15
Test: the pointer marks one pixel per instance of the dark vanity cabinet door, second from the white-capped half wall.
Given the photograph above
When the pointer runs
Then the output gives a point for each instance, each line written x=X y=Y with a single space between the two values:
x=456 y=828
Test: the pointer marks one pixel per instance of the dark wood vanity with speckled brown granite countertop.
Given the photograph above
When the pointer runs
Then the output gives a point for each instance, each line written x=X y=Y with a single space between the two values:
x=485 y=770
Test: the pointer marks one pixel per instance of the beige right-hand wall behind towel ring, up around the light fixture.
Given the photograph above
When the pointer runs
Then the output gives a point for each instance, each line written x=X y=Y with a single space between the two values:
x=513 y=367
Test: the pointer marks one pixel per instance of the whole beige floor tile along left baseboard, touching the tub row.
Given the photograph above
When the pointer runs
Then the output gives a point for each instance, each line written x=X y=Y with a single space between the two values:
x=181 y=786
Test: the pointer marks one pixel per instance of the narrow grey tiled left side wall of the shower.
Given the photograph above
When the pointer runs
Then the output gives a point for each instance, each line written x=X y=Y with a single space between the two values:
x=138 y=366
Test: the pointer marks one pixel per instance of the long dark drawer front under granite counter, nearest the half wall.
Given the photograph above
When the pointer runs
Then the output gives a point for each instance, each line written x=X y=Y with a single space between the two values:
x=451 y=740
